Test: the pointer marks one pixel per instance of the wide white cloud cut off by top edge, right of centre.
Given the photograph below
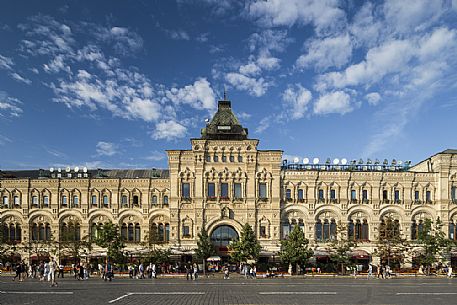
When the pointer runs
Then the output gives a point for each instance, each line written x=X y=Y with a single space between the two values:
x=323 y=14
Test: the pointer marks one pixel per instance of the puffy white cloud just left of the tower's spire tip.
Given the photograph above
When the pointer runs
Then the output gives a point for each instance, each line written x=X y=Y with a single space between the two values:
x=199 y=95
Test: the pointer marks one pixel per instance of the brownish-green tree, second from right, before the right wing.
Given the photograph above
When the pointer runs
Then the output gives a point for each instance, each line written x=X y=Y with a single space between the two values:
x=391 y=246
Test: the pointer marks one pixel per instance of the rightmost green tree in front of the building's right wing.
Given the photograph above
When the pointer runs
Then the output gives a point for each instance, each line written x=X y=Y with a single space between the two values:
x=434 y=242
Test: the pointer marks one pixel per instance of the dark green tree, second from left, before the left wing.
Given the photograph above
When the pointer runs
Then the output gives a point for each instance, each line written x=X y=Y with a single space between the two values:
x=108 y=237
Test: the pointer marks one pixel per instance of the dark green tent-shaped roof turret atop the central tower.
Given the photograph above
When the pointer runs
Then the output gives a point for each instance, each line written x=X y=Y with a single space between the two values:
x=224 y=125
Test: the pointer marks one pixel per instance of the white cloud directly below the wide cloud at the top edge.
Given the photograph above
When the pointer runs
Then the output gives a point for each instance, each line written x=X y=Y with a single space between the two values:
x=326 y=53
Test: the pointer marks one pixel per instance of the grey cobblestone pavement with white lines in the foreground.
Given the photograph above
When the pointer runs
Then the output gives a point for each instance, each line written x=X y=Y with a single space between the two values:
x=216 y=291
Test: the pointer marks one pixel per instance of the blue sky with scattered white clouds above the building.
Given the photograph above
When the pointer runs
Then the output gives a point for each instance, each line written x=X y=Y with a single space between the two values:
x=113 y=84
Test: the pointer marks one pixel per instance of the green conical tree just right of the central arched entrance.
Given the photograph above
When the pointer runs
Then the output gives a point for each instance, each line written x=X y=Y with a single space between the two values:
x=247 y=247
